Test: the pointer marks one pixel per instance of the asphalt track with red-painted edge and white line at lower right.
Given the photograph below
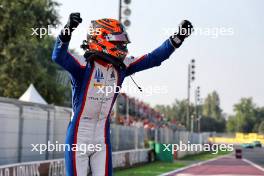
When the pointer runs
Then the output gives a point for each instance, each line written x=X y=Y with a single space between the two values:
x=250 y=165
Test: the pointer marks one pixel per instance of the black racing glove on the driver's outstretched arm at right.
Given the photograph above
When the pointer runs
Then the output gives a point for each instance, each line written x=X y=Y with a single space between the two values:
x=185 y=30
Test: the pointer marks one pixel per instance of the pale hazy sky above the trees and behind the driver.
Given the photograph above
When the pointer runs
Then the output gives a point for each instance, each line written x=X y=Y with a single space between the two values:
x=231 y=63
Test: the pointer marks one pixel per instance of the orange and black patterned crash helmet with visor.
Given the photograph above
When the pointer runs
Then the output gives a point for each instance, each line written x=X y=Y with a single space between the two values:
x=108 y=36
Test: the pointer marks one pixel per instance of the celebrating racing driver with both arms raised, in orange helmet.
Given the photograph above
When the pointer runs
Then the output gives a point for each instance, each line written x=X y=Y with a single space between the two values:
x=104 y=63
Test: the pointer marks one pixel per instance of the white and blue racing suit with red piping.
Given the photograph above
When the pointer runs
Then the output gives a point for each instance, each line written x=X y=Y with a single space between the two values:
x=90 y=123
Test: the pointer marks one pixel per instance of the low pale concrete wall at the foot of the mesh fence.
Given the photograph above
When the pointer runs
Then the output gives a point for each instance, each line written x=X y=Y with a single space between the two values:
x=57 y=168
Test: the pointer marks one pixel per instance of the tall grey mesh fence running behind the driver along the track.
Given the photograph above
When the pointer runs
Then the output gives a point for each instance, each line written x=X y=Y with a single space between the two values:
x=24 y=124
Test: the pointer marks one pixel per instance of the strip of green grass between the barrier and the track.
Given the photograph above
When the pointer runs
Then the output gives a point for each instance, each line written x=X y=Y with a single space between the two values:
x=159 y=167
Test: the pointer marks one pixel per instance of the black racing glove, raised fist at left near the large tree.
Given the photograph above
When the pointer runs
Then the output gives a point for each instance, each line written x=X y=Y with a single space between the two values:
x=73 y=21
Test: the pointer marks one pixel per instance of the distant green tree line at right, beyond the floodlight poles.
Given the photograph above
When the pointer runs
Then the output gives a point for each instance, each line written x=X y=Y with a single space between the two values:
x=247 y=116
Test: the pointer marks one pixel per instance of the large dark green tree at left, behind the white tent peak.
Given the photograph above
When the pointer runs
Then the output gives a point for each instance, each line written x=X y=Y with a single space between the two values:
x=25 y=58
